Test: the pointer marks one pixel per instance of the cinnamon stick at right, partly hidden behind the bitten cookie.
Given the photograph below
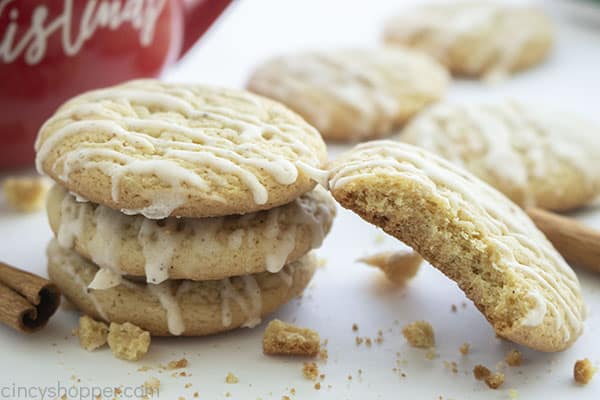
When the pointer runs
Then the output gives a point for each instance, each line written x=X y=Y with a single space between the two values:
x=576 y=242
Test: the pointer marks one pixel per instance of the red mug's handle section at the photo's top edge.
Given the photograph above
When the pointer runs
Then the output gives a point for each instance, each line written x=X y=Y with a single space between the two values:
x=199 y=15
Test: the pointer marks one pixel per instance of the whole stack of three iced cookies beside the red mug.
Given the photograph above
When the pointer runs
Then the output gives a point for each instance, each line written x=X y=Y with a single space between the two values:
x=185 y=210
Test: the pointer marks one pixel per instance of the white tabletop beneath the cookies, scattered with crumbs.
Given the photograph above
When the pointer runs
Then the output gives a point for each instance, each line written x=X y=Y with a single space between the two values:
x=343 y=292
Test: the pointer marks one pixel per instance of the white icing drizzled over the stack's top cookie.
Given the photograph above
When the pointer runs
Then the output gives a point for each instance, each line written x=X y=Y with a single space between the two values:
x=170 y=132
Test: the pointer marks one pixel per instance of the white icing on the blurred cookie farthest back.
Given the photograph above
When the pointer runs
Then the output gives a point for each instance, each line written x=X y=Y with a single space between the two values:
x=445 y=25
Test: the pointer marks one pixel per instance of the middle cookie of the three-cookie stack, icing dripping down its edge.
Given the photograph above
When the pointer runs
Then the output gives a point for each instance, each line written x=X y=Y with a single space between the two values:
x=191 y=248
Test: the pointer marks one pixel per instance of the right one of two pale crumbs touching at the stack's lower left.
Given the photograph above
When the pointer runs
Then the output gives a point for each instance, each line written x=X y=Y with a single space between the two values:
x=127 y=341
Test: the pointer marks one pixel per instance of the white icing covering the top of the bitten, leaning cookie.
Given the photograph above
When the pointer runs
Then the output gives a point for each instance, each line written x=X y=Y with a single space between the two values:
x=554 y=288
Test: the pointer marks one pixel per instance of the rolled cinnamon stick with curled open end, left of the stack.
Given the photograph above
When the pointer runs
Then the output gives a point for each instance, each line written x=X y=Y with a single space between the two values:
x=27 y=301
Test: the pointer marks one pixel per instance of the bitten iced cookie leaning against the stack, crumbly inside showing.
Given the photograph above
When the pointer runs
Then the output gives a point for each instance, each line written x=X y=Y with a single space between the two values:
x=472 y=233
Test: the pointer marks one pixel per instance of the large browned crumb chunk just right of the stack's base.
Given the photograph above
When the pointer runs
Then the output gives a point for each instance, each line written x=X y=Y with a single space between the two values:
x=281 y=338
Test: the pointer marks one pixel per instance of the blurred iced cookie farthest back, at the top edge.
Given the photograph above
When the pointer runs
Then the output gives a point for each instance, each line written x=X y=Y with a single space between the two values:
x=475 y=38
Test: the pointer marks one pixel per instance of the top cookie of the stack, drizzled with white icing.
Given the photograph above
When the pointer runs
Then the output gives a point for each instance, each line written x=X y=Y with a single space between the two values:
x=159 y=149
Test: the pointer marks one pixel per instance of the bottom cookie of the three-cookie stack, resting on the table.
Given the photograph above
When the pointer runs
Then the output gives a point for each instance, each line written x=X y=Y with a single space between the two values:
x=182 y=307
